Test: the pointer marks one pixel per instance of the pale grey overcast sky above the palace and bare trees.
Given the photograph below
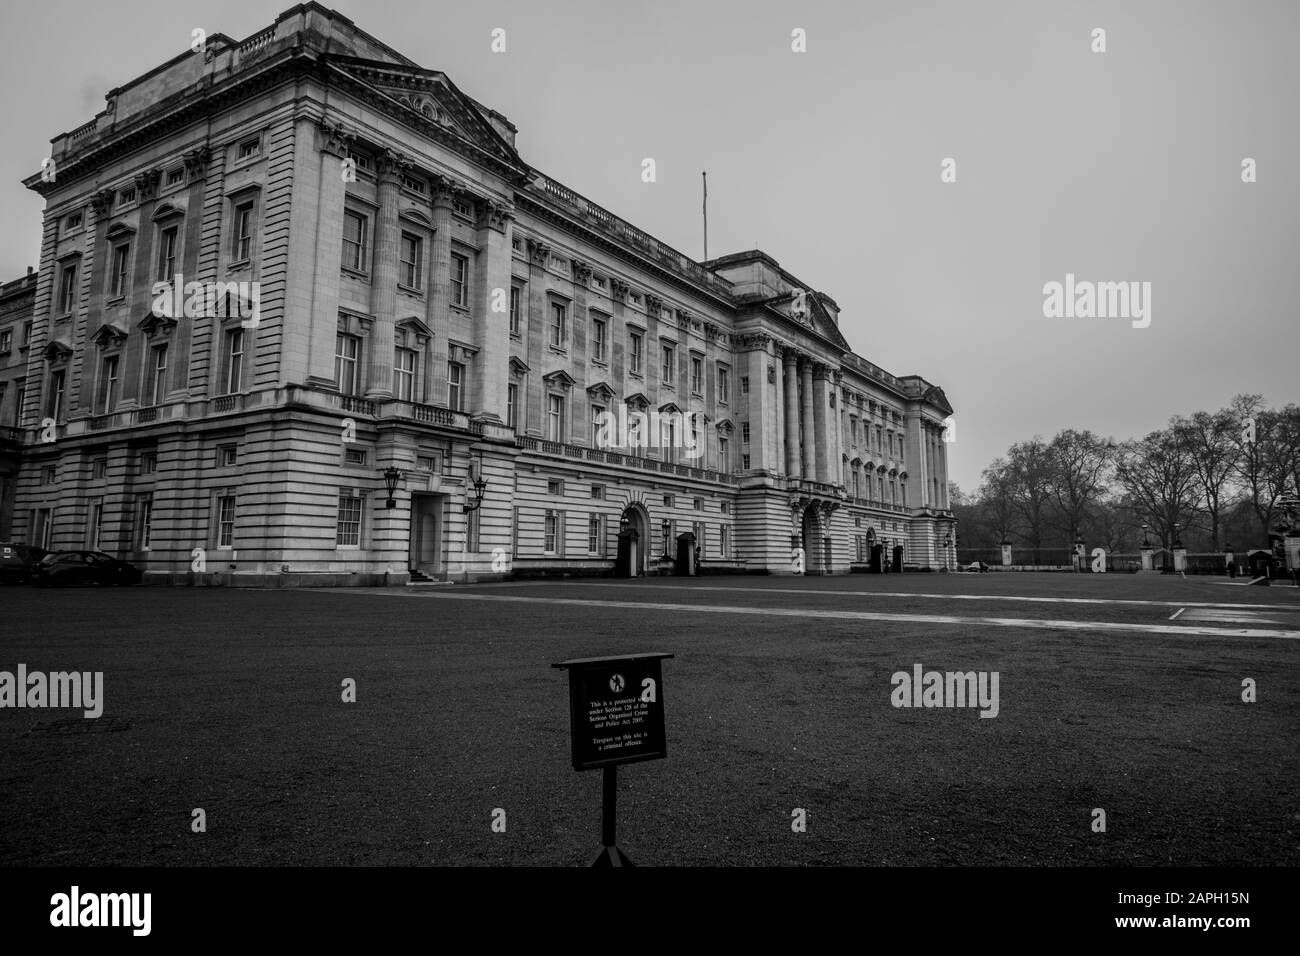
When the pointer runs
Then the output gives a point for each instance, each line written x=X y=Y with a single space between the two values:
x=1124 y=166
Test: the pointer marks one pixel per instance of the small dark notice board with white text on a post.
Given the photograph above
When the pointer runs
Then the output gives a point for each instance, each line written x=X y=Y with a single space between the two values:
x=616 y=717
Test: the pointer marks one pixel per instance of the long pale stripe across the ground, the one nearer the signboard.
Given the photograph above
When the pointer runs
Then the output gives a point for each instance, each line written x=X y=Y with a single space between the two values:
x=857 y=616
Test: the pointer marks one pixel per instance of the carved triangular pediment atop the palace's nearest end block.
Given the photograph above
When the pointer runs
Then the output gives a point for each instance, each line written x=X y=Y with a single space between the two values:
x=428 y=100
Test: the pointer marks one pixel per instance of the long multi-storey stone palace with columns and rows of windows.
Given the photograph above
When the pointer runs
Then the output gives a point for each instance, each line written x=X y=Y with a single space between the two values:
x=305 y=317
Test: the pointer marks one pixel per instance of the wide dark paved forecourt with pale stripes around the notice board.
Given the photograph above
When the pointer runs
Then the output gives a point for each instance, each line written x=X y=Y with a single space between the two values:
x=779 y=698
